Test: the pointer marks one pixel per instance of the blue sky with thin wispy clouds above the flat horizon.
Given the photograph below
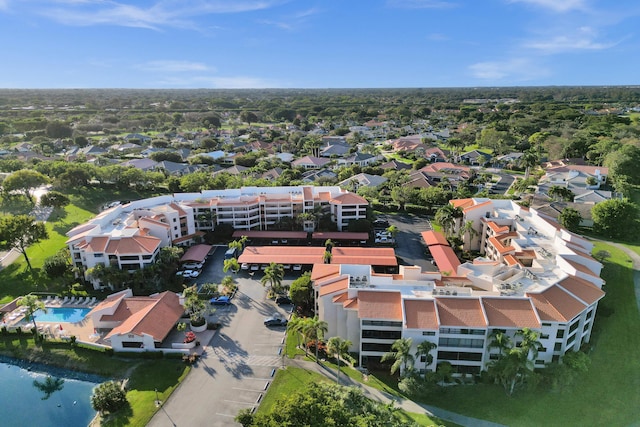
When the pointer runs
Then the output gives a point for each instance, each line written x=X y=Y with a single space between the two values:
x=317 y=43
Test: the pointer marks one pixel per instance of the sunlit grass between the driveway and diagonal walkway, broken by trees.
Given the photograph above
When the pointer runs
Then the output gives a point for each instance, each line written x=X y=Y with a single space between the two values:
x=292 y=379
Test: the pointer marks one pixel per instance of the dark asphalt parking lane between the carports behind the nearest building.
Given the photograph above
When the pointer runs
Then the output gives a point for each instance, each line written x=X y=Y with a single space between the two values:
x=410 y=247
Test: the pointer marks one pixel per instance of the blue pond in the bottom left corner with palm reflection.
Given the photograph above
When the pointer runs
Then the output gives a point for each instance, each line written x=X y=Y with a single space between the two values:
x=39 y=399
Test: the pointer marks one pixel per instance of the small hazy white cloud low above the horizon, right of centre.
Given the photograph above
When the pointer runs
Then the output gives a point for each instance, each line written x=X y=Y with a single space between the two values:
x=515 y=69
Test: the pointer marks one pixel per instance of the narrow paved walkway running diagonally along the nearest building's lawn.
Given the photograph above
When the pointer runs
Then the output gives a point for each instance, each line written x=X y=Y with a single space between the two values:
x=381 y=396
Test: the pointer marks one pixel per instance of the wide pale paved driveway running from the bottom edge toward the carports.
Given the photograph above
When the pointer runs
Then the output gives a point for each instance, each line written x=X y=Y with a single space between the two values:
x=237 y=365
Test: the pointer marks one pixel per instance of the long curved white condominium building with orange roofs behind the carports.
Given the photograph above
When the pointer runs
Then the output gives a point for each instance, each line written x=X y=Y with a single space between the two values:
x=130 y=235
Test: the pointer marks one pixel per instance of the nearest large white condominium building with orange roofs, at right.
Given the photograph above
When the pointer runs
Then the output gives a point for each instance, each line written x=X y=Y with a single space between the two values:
x=532 y=274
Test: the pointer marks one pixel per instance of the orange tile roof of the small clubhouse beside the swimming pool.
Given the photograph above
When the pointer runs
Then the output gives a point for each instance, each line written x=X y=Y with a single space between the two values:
x=155 y=316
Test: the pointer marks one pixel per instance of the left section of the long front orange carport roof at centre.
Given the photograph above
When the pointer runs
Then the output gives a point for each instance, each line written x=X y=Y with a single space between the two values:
x=282 y=255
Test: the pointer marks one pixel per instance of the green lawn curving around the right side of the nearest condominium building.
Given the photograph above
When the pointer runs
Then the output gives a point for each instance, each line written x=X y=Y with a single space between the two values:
x=606 y=395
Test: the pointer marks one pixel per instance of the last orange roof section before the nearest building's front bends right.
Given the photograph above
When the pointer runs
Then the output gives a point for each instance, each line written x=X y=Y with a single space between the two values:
x=510 y=313
